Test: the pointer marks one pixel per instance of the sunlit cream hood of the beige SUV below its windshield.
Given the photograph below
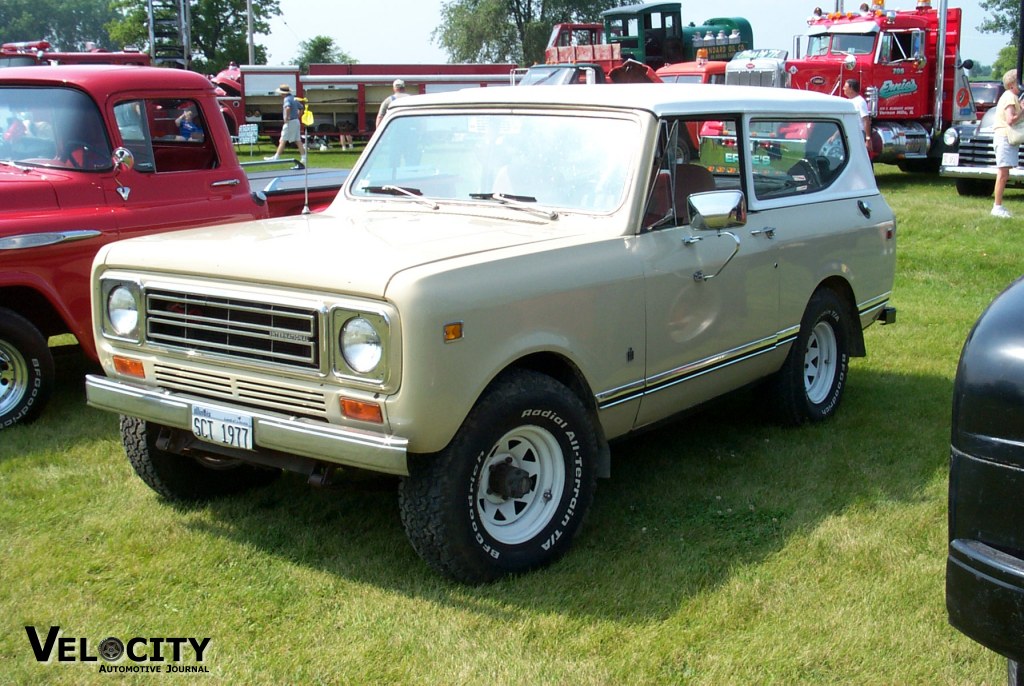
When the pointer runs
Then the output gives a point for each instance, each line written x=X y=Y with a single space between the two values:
x=357 y=253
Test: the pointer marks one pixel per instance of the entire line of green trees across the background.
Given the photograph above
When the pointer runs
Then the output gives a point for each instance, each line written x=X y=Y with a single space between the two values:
x=471 y=31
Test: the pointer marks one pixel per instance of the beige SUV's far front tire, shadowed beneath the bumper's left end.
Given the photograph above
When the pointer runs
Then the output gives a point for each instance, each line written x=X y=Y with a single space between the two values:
x=180 y=478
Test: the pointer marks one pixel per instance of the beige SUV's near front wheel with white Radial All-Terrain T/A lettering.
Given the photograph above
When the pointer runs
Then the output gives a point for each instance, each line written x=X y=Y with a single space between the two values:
x=511 y=490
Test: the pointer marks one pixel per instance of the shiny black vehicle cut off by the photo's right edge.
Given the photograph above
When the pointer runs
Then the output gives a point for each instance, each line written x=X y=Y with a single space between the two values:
x=986 y=560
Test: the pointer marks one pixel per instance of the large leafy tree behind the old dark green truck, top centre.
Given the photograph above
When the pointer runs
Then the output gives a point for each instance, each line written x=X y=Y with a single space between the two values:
x=513 y=31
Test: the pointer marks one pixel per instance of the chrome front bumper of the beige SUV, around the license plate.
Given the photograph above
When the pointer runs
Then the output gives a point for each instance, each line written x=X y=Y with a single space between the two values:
x=352 y=448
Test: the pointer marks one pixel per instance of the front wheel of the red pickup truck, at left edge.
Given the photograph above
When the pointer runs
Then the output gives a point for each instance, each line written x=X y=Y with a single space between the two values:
x=26 y=370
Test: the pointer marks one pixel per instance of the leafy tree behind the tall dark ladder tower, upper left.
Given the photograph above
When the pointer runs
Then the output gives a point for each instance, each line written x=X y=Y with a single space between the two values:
x=220 y=30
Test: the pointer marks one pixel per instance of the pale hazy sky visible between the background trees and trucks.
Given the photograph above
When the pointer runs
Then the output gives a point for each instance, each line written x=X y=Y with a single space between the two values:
x=400 y=32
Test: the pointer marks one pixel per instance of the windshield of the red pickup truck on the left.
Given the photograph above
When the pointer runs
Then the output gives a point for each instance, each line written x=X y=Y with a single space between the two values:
x=53 y=127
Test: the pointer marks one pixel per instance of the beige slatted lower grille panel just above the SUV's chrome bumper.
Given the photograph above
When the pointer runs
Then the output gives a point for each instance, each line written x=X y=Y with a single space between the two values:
x=277 y=397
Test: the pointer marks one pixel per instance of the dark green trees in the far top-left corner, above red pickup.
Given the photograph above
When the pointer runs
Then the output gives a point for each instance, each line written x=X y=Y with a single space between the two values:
x=68 y=25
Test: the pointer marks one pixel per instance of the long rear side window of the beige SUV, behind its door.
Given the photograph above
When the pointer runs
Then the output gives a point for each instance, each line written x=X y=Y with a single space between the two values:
x=795 y=157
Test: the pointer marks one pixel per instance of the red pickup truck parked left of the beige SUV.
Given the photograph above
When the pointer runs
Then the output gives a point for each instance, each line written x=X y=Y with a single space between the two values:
x=95 y=154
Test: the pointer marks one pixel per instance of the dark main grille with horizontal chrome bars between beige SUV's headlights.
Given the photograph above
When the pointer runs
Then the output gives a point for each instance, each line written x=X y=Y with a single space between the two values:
x=246 y=330
